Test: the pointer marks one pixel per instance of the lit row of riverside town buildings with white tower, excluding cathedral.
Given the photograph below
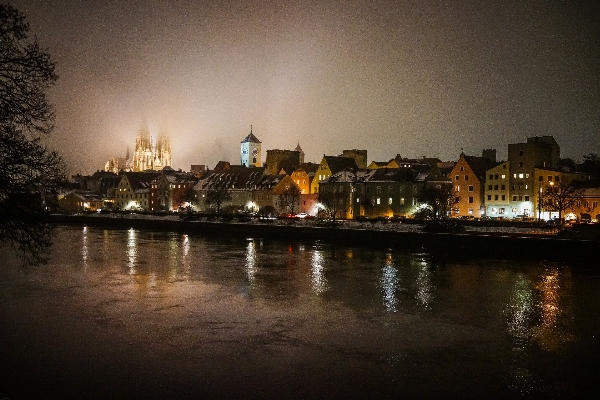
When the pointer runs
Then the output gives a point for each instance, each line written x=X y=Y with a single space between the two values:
x=484 y=187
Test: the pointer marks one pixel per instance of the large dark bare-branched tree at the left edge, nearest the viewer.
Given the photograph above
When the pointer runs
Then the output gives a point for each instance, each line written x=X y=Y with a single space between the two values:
x=29 y=172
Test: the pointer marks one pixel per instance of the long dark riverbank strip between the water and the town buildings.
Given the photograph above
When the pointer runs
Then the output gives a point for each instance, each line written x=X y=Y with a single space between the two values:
x=491 y=242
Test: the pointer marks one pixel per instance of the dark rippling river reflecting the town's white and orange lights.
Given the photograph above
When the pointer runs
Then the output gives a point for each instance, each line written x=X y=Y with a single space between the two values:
x=135 y=314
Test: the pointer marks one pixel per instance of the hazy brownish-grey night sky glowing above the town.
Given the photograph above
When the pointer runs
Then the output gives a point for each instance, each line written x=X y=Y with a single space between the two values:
x=419 y=78
